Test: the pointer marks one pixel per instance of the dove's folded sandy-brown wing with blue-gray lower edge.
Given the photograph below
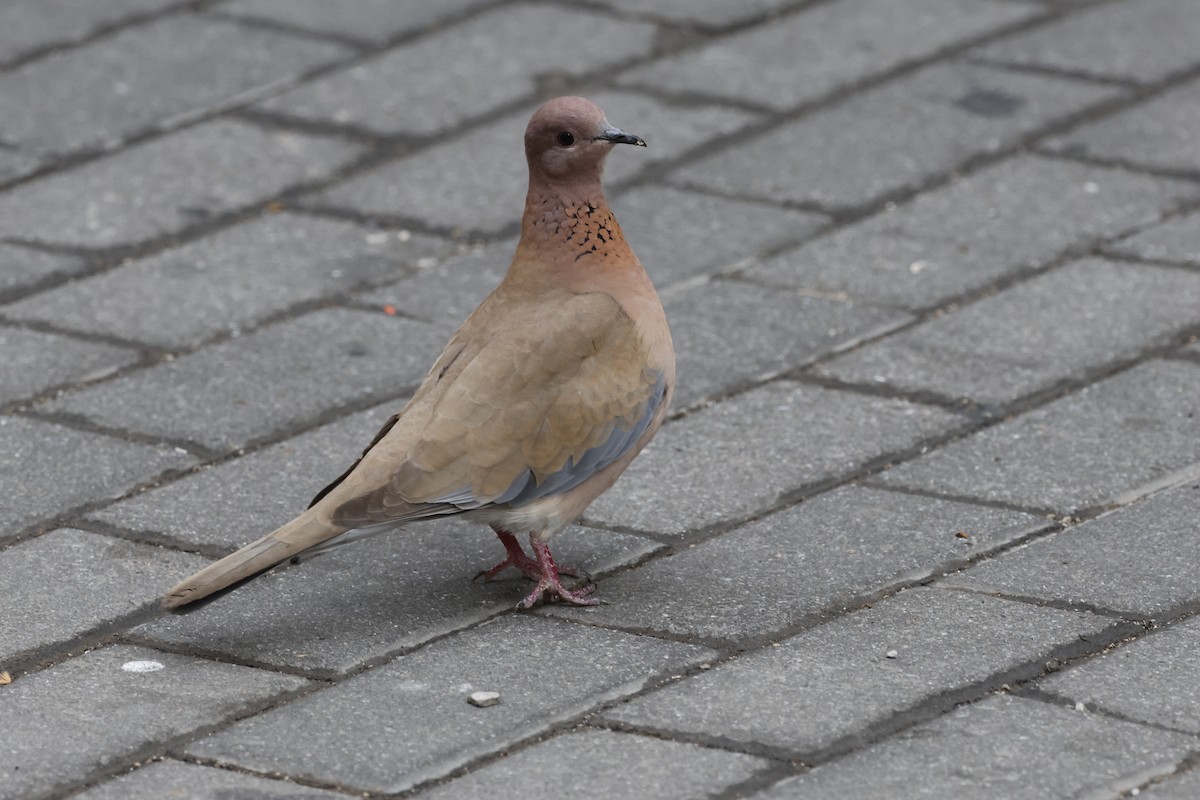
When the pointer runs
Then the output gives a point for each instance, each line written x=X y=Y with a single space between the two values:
x=527 y=408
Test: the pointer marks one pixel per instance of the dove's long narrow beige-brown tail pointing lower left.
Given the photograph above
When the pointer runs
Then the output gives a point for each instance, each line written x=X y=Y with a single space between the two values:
x=303 y=533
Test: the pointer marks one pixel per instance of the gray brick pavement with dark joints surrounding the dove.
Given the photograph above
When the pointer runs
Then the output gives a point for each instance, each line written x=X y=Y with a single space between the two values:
x=925 y=522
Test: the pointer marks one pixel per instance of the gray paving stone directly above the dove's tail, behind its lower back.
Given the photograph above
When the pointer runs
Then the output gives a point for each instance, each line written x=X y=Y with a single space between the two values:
x=238 y=501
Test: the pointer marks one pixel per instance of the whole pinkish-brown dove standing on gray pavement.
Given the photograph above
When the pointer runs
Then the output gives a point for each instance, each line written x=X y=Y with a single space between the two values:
x=539 y=402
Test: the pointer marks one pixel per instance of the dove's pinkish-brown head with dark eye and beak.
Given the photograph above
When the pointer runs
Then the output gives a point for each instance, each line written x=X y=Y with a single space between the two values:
x=568 y=140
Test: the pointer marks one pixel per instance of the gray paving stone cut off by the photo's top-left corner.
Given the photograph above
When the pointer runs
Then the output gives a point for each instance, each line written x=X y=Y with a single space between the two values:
x=28 y=26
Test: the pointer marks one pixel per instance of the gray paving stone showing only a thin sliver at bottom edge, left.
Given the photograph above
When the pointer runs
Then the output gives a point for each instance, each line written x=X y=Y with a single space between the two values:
x=194 y=783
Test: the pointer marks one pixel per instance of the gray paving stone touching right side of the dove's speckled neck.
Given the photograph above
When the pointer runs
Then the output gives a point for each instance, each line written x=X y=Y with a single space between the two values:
x=681 y=236
